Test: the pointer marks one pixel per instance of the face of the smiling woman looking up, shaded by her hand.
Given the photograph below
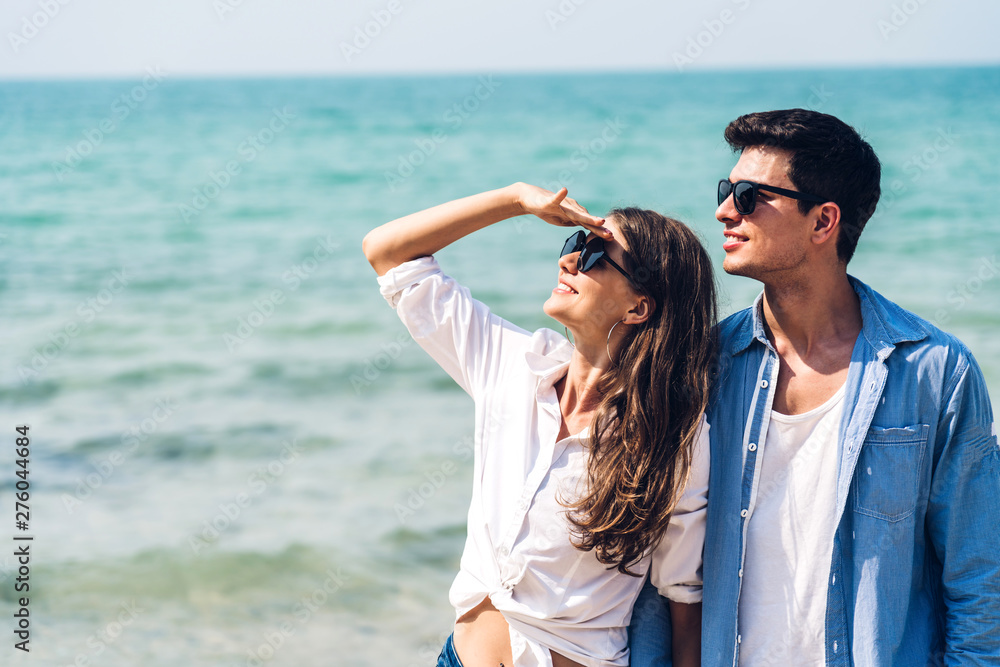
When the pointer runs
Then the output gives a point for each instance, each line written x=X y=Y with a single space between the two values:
x=589 y=304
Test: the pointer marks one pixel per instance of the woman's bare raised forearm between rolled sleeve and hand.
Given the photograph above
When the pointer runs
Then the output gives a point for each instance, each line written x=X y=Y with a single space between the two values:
x=430 y=230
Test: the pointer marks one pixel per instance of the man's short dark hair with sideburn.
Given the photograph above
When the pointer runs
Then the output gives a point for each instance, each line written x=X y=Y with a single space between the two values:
x=829 y=159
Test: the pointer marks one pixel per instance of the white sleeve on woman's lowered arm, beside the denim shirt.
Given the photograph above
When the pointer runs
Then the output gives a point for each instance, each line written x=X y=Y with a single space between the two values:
x=676 y=563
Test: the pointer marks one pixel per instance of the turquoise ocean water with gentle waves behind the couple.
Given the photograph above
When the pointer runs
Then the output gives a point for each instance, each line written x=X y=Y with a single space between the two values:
x=238 y=456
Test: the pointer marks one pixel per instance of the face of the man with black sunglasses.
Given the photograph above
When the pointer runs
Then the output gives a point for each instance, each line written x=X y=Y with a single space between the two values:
x=776 y=236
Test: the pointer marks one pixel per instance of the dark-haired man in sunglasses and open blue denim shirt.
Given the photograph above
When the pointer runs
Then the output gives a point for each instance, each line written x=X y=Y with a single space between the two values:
x=854 y=503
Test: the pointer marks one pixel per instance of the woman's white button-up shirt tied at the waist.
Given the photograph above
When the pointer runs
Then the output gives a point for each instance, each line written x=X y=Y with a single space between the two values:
x=517 y=550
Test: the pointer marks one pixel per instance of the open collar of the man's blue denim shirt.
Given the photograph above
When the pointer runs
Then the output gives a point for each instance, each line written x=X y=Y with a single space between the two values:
x=883 y=323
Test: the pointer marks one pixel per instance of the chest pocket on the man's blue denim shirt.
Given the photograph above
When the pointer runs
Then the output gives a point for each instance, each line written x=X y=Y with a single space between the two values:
x=888 y=472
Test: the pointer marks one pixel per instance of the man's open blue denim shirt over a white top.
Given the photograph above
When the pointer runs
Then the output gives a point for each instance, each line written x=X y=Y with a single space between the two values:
x=915 y=573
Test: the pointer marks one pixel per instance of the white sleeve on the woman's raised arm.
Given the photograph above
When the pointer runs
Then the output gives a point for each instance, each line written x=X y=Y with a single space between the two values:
x=459 y=332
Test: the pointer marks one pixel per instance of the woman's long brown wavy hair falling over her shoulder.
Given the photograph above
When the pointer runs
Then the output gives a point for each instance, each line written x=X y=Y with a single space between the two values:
x=652 y=396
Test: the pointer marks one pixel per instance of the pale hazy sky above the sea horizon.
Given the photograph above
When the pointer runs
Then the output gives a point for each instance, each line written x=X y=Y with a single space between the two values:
x=46 y=38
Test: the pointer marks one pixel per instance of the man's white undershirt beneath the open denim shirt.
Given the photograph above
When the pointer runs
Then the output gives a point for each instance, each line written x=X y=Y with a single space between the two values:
x=782 y=614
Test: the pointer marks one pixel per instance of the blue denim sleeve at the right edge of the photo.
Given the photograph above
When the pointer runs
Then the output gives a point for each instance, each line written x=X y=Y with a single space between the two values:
x=963 y=519
